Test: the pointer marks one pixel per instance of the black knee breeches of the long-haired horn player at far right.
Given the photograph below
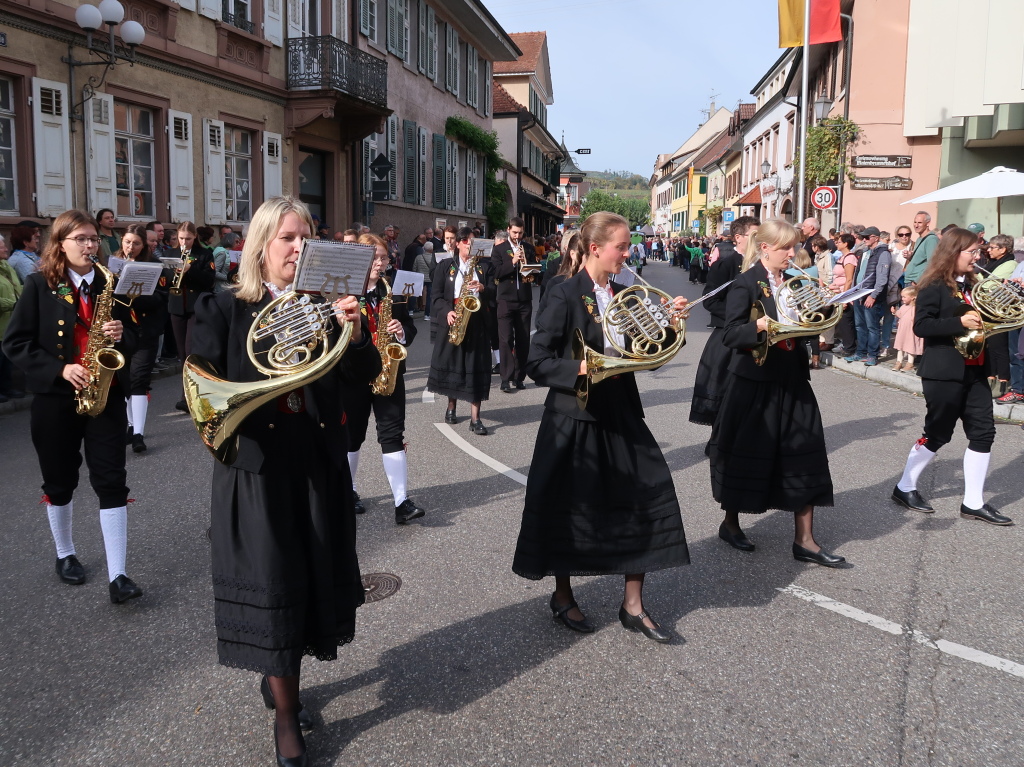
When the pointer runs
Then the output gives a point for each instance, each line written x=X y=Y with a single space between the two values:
x=969 y=401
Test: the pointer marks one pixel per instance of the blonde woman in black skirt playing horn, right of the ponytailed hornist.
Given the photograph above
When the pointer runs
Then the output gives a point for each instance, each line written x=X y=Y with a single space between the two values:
x=767 y=447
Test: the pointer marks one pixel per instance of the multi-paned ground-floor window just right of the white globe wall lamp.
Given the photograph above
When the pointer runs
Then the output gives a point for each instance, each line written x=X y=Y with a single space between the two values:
x=134 y=156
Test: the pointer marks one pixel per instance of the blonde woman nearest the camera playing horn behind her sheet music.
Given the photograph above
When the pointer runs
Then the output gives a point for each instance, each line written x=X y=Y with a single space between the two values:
x=286 y=578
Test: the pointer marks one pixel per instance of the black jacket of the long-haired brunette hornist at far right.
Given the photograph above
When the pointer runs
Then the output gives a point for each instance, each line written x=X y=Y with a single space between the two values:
x=937 y=320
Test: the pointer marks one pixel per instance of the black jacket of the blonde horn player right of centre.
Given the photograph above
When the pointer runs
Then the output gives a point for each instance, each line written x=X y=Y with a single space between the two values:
x=742 y=334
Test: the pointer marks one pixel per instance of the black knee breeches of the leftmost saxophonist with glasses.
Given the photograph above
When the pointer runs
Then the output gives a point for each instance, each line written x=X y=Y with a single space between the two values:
x=59 y=434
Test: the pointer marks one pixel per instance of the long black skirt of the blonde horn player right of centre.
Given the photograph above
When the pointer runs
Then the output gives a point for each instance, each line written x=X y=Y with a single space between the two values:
x=769 y=449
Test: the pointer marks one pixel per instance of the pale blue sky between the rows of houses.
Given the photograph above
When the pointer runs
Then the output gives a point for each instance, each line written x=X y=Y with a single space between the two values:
x=631 y=77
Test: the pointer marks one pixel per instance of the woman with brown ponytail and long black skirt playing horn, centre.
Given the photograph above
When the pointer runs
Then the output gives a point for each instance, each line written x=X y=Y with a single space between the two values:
x=600 y=498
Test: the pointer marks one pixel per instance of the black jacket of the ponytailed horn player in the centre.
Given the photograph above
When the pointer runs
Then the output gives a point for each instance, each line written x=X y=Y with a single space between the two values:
x=566 y=309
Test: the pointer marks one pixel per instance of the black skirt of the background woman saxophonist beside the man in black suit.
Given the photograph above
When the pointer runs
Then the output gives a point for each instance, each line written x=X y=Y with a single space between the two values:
x=462 y=372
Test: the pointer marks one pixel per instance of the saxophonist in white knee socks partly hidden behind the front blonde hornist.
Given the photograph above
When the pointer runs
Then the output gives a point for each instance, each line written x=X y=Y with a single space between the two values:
x=390 y=410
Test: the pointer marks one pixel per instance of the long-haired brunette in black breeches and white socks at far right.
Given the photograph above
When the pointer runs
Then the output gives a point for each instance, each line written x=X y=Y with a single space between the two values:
x=956 y=389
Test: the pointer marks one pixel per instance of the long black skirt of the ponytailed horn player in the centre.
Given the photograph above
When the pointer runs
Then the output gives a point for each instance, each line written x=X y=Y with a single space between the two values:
x=600 y=500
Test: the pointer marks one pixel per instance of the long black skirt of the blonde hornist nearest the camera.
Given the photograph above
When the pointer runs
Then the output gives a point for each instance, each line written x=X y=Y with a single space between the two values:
x=286 y=578
